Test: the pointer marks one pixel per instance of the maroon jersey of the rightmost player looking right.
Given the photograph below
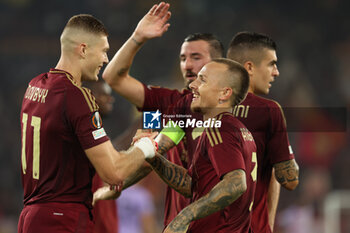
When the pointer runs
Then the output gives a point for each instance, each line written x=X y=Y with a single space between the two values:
x=264 y=118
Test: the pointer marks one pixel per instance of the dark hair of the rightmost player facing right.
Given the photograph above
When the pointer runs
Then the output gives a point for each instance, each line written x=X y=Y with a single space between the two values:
x=244 y=45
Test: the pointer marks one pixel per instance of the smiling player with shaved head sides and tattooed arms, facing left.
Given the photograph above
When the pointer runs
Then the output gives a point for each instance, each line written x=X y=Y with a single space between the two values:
x=222 y=175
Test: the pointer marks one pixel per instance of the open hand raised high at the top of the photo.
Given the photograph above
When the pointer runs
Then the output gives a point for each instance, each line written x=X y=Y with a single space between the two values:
x=153 y=24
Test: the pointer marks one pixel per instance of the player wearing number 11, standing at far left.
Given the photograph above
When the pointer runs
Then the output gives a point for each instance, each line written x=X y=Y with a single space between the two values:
x=63 y=140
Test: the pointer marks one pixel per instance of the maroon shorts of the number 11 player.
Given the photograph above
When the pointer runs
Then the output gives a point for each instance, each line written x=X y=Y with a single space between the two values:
x=55 y=218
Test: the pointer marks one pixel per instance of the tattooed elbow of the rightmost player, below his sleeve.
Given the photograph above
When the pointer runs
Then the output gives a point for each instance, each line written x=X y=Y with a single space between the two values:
x=287 y=174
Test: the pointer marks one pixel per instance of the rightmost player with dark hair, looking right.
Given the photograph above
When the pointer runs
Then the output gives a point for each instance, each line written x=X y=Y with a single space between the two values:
x=265 y=119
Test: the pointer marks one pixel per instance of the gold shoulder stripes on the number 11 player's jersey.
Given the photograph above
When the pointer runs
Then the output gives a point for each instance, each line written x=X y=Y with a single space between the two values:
x=83 y=91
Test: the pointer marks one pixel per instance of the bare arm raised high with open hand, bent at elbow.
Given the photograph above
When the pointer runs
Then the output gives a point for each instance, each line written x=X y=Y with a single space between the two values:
x=116 y=74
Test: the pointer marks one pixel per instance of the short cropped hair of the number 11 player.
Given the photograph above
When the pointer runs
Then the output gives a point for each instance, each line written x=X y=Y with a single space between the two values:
x=87 y=23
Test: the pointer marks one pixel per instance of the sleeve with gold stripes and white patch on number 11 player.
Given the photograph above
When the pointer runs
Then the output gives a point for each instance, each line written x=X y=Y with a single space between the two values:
x=84 y=118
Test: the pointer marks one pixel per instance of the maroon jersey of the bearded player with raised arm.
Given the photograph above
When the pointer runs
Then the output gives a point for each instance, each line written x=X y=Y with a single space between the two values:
x=161 y=98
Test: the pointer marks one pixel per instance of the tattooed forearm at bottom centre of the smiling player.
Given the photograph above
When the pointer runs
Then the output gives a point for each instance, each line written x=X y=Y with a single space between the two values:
x=232 y=186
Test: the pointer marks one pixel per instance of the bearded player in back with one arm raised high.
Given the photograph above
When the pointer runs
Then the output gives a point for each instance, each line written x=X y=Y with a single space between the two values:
x=196 y=50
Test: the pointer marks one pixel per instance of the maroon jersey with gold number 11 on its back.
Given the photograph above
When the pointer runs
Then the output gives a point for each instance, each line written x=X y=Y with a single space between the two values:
x=59 y=121
